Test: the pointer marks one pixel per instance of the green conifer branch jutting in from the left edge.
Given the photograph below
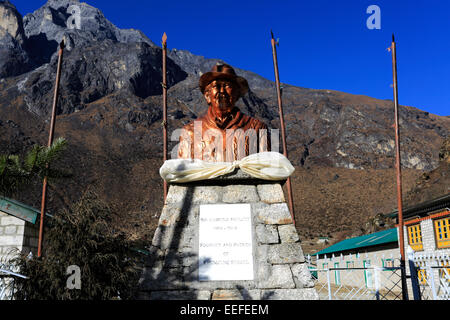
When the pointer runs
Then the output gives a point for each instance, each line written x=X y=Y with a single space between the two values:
x=17 y=174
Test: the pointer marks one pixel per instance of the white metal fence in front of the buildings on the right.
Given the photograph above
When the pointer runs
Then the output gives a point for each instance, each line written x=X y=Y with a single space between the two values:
x=428 y=279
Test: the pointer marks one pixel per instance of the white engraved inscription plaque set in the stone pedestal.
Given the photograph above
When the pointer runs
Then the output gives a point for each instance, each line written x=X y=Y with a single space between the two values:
x=225 y=242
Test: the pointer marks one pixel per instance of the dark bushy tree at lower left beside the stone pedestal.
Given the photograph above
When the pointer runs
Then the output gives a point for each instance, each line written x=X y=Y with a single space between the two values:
x=81 y=237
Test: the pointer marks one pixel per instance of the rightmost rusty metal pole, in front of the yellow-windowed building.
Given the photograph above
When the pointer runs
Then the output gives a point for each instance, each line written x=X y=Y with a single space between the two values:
x=399 y=173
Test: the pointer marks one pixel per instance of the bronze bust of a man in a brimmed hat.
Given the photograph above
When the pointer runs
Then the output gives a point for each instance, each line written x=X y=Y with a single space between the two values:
x=224 y=133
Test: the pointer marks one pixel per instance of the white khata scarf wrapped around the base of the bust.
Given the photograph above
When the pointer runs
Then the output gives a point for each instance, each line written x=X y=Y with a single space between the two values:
x=263 y=165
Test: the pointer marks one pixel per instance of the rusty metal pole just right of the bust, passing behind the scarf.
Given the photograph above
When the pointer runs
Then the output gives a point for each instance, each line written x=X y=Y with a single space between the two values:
x=283 y=130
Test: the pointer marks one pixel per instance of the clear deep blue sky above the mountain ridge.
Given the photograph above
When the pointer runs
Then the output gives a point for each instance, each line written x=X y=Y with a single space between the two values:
x=324 y=44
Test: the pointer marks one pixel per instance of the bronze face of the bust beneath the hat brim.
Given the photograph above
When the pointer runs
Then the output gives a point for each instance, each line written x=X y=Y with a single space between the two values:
x=221 y=95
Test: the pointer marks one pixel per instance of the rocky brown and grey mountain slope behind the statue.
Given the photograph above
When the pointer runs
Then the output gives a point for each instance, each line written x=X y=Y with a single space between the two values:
x=110 y=112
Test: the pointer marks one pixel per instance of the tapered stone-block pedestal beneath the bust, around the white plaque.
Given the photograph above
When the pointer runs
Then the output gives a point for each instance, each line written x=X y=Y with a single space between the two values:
x=280 y=271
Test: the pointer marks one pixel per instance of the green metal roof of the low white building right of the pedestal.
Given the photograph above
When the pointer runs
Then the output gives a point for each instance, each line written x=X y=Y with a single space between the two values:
x=368 y=240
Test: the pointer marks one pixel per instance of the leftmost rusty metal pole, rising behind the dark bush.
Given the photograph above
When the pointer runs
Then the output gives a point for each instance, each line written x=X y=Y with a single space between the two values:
x=50 y=141
